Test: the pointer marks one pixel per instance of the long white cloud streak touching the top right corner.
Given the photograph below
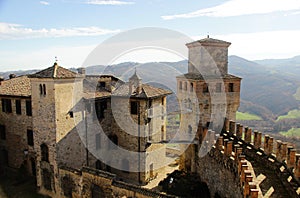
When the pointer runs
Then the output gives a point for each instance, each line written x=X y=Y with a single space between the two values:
x=241 y=7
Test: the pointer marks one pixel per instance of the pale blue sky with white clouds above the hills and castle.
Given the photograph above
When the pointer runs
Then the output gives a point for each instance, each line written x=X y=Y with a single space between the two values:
x=33 y=32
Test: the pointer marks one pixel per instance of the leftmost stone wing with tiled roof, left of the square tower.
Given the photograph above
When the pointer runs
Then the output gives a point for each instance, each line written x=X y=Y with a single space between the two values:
x=16 y=130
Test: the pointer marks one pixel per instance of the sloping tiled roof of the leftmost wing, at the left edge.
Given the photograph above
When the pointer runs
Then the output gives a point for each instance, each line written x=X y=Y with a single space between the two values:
x=19 y=86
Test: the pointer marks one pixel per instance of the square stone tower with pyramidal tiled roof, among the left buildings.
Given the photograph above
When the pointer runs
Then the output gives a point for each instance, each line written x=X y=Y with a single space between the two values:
x=55 y=91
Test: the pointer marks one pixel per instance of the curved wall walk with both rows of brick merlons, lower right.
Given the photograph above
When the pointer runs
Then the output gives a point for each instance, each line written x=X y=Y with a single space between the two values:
x=237 y=145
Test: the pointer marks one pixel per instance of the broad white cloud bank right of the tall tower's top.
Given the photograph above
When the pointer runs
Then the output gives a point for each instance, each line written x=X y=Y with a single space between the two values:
x=263 y=45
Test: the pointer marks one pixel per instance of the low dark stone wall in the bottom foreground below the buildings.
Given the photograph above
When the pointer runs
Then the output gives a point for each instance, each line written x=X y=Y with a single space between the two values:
x=89 y=182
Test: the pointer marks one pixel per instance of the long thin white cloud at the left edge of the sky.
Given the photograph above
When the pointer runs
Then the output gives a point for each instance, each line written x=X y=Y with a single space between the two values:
x=16 y=31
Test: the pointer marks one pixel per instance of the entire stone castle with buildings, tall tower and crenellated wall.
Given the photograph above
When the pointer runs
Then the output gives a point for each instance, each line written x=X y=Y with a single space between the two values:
x=98 y=136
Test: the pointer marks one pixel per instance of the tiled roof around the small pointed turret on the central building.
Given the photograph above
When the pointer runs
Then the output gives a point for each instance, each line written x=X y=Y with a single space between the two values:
x=148 y=91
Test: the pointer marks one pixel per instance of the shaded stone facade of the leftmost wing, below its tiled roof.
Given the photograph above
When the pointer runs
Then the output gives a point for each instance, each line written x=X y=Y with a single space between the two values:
x=16 y=141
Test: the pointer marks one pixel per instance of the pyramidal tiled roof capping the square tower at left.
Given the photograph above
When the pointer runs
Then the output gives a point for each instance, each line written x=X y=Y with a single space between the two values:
x=55 y=71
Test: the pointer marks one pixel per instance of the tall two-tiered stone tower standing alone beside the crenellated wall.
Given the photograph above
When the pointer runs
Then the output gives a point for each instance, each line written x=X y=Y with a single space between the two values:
x=207 y=93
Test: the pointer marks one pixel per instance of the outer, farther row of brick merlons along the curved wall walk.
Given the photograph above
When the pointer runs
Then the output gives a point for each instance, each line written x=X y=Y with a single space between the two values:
x=271 y=154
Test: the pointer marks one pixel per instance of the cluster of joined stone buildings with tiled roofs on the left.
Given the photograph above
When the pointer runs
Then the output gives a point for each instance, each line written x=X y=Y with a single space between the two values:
x=59 y=118
